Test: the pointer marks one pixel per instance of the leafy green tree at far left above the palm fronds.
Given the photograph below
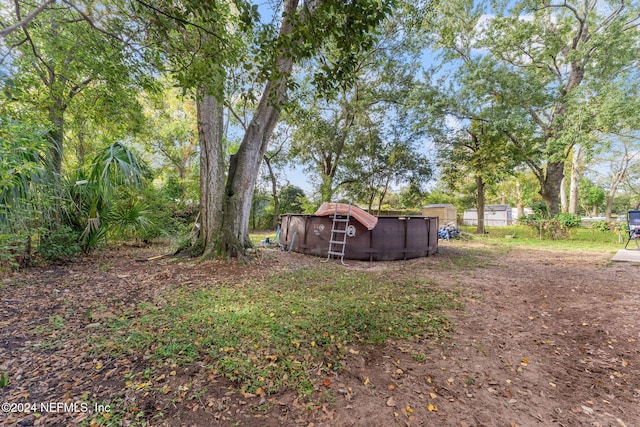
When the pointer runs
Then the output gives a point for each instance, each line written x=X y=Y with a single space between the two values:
x=61 y=54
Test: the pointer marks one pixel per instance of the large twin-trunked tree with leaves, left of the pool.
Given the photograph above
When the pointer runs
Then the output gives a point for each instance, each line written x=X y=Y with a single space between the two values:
x=211 y=32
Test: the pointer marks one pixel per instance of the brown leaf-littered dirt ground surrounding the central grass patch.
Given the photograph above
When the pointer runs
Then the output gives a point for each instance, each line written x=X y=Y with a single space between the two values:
x=544 y=338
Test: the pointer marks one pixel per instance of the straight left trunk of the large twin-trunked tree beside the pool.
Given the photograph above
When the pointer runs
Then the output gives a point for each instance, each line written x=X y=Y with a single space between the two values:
x=210 y=132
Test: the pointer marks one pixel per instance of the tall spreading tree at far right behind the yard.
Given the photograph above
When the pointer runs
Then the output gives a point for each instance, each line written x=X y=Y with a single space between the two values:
x=537 y=61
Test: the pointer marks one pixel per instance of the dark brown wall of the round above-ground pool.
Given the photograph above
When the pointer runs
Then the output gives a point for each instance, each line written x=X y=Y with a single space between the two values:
x=393 y=238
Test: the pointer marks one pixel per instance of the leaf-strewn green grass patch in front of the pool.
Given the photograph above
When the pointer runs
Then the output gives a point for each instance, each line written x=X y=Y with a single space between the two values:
x=275 y=334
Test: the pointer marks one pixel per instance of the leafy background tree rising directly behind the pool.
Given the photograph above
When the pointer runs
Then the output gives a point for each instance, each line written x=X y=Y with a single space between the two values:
x=331 y=133
